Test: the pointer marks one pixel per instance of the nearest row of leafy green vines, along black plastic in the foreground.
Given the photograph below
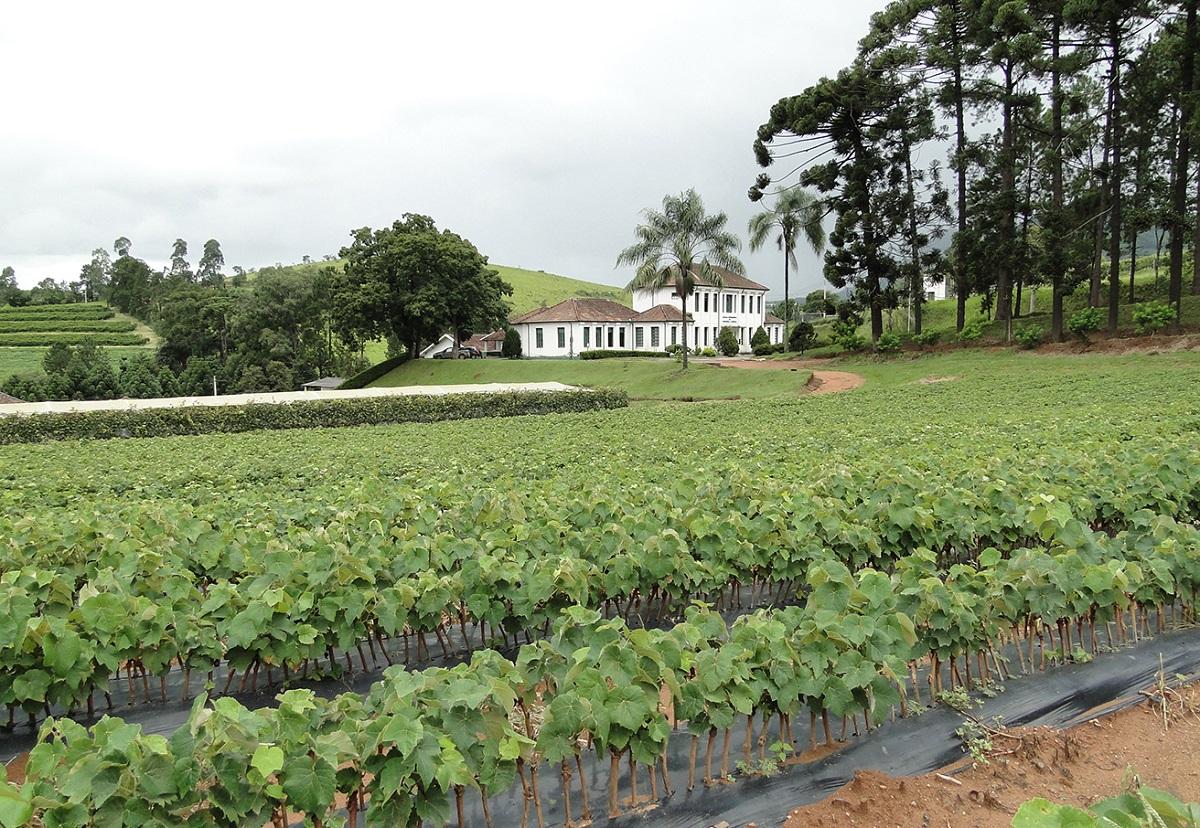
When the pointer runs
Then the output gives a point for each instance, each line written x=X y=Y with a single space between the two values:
x=410 y=752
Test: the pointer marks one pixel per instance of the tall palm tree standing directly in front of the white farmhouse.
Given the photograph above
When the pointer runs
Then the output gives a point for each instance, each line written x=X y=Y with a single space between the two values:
x=682 y=244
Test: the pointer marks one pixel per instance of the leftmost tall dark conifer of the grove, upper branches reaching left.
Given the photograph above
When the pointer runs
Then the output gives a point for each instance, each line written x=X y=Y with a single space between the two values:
x=848 y=118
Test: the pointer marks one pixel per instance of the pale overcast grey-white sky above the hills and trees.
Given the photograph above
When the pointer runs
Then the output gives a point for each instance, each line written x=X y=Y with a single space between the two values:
x=537 y=130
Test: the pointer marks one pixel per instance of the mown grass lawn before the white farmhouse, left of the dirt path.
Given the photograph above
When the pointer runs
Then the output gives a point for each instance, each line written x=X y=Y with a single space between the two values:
x=643 y=379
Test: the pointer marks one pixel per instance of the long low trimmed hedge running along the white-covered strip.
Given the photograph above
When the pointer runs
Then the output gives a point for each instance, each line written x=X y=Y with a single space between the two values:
x=304 y=415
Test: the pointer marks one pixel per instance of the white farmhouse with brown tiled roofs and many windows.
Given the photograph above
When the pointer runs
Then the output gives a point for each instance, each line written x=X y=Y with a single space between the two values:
x=653 y=325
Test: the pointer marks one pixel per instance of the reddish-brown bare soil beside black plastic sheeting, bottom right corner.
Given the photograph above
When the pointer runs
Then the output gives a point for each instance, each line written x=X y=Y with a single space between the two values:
x=1077 y=767
